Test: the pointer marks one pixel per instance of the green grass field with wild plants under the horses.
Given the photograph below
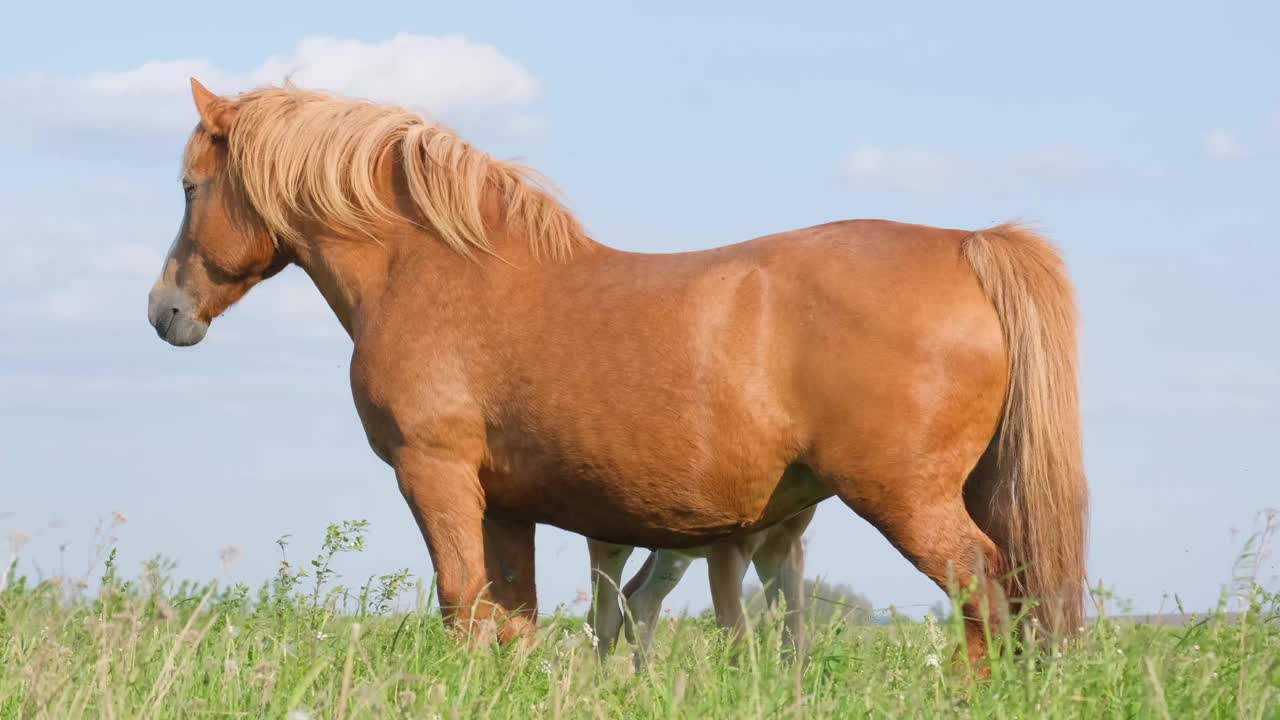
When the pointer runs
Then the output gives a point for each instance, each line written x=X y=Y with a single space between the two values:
x=298 y=648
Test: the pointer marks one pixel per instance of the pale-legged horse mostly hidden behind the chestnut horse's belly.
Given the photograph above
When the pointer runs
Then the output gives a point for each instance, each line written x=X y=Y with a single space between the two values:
x=778 y=554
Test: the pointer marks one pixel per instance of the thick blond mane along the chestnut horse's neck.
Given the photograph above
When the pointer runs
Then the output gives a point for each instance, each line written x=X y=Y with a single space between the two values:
x=305 y=156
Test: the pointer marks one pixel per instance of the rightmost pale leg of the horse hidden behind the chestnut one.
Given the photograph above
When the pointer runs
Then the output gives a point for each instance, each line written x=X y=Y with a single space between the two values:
x=780 y=564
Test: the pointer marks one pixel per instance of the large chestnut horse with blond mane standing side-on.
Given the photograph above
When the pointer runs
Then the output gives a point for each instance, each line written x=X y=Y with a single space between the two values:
x=513 y=371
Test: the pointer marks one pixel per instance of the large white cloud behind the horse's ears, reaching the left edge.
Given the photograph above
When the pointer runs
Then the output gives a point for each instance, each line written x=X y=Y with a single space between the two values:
x=449 y=78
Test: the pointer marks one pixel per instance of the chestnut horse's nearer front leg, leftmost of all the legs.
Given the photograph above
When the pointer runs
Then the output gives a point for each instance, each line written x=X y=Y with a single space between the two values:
x=447 y=502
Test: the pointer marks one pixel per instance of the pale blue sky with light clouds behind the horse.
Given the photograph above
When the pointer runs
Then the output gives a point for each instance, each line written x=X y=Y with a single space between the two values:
x=1144 y=139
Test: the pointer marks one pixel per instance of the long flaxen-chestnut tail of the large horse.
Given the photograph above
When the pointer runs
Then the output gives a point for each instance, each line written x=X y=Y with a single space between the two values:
x=1032 y=486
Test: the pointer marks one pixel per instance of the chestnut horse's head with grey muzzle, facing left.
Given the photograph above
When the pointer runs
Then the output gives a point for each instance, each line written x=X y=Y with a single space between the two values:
x=223 y=248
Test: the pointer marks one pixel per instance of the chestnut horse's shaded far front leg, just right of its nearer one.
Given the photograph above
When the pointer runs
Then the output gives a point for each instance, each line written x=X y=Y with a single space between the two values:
x=509 y=552
